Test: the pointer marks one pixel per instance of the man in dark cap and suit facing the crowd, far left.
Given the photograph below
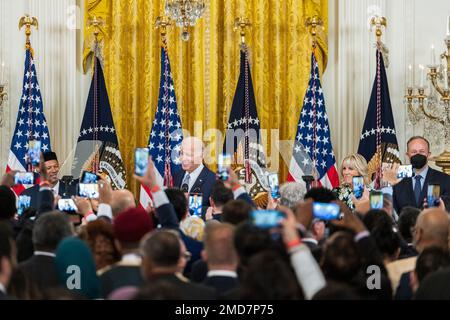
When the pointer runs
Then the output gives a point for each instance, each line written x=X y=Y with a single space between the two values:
x=64 y=189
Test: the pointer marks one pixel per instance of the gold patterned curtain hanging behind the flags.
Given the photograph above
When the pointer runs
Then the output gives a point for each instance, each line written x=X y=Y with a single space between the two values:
x=206 y=68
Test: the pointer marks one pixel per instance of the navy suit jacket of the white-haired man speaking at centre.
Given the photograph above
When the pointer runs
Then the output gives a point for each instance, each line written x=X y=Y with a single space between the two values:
x=203 y=184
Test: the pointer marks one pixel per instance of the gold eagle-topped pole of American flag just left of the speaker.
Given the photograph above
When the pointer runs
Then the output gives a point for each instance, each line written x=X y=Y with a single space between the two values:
x=162 y=23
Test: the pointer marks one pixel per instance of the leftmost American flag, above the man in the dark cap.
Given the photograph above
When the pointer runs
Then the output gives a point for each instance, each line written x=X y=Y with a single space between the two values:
x=31 y=123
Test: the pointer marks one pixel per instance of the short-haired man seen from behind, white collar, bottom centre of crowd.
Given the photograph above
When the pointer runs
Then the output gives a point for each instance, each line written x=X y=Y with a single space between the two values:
x=221 y=257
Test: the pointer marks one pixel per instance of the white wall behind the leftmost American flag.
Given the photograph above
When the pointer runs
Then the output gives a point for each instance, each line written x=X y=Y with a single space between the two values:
x=58 y=61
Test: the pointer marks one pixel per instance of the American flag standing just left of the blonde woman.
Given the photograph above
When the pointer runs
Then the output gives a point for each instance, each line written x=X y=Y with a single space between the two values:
x=313 y=152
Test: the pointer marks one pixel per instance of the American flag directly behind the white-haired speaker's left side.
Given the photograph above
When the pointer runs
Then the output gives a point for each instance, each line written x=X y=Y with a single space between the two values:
x=166 y=134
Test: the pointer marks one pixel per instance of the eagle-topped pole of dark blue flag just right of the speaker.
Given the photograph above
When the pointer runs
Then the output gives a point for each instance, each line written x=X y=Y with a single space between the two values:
x=241 y=24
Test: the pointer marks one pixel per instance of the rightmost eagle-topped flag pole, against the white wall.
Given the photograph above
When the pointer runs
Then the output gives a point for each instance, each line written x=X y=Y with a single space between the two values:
x=378 y=23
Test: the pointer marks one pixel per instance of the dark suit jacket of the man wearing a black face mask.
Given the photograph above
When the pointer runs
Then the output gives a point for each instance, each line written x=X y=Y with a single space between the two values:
x=403 y=195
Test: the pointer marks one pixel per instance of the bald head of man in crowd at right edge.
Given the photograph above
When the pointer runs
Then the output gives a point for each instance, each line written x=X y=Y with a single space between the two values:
x=432 y=227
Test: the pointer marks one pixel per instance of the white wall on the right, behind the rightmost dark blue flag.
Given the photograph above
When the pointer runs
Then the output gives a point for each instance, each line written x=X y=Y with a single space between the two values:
x=413 y=26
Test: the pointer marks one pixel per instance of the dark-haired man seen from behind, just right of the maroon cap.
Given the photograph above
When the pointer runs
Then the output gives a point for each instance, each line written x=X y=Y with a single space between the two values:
x=163 y=258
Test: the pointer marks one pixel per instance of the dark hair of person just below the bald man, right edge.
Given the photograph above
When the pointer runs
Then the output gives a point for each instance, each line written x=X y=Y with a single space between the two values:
x=431 y=259
